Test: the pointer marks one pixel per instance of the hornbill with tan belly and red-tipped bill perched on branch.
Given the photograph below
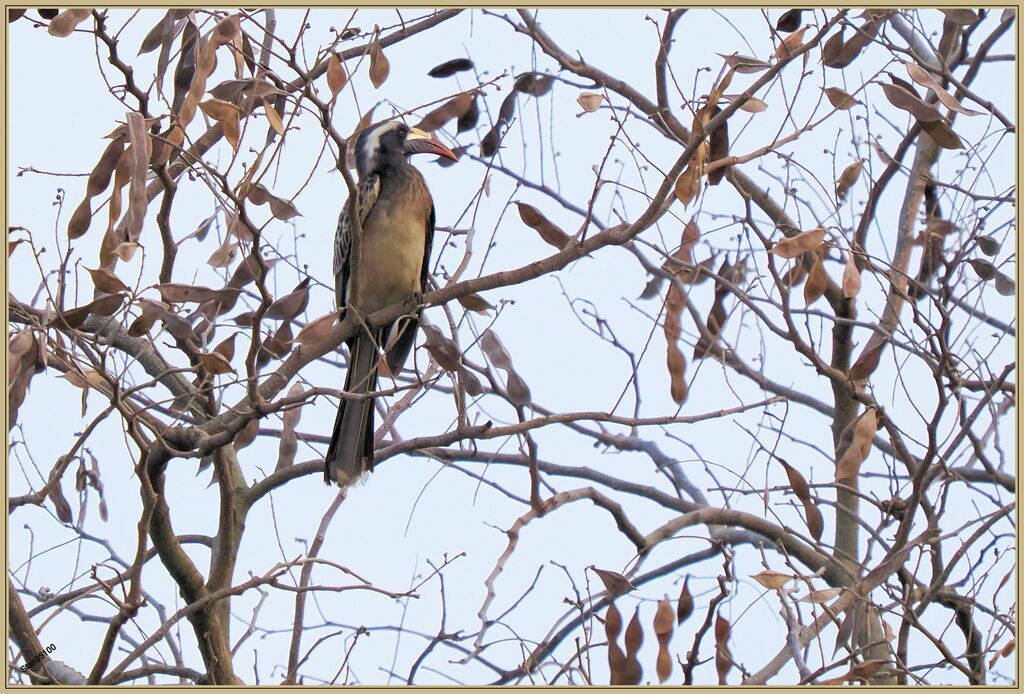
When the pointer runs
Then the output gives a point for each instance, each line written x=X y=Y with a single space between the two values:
x=397 y=212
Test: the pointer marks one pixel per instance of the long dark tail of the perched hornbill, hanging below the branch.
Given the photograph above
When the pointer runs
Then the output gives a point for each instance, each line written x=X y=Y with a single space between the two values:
x=352 y=451
